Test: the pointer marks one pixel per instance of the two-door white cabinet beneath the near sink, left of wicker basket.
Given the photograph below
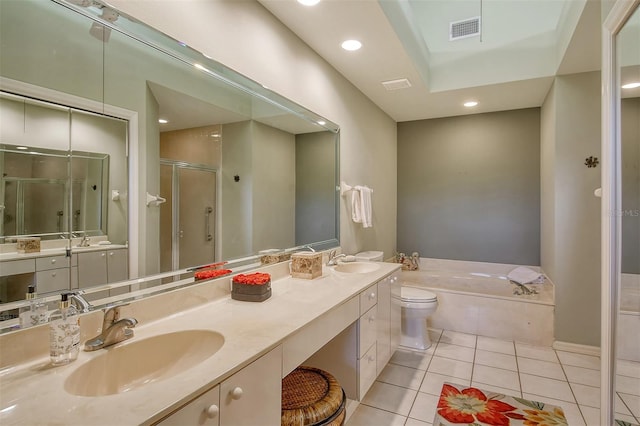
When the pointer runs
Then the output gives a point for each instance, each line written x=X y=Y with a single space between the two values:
x=252 y=396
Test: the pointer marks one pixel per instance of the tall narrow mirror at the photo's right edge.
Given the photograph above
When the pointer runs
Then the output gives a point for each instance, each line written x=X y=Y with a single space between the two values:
x=628 y=315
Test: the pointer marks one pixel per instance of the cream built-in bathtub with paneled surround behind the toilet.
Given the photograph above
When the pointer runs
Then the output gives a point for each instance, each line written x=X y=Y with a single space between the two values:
x=477 y=298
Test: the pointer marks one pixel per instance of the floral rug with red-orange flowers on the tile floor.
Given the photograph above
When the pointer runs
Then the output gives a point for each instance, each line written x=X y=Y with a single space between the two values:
x=472 y=406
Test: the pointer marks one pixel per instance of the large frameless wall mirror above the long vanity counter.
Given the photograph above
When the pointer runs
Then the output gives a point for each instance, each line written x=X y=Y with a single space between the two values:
x=165 y=159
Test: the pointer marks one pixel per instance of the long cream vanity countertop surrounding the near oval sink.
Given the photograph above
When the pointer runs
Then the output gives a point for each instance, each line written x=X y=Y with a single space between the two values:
x=34 y=393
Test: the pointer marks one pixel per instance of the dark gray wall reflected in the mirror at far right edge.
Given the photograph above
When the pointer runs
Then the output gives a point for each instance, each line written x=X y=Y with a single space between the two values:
x=630 y=121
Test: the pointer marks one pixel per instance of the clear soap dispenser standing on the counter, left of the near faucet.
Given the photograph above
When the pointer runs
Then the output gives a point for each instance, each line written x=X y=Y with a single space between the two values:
x=64 y=333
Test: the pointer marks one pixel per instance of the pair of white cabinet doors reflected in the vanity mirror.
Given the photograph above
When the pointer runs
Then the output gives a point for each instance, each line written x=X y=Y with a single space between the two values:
x=102 y=266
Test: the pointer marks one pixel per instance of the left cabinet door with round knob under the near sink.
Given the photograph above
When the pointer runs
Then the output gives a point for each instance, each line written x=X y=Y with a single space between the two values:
x=203 y=410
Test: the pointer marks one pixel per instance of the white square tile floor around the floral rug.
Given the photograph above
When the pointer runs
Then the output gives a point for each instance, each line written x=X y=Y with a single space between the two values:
x=407 y=390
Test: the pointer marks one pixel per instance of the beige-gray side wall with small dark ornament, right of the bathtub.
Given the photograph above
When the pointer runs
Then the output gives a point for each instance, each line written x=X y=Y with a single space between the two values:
x=570 y=211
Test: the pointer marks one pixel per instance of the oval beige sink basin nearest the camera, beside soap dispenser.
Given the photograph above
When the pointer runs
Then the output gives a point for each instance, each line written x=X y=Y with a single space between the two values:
x=129 y=366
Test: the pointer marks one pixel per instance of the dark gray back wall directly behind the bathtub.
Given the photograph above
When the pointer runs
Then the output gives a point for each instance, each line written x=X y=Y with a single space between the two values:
x=469 y=187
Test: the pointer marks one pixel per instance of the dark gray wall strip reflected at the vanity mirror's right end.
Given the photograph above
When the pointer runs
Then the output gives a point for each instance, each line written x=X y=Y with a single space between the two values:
x=315 y=191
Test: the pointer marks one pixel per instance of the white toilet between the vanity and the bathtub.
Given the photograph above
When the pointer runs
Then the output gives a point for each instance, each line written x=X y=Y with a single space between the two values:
x=417 y=304
